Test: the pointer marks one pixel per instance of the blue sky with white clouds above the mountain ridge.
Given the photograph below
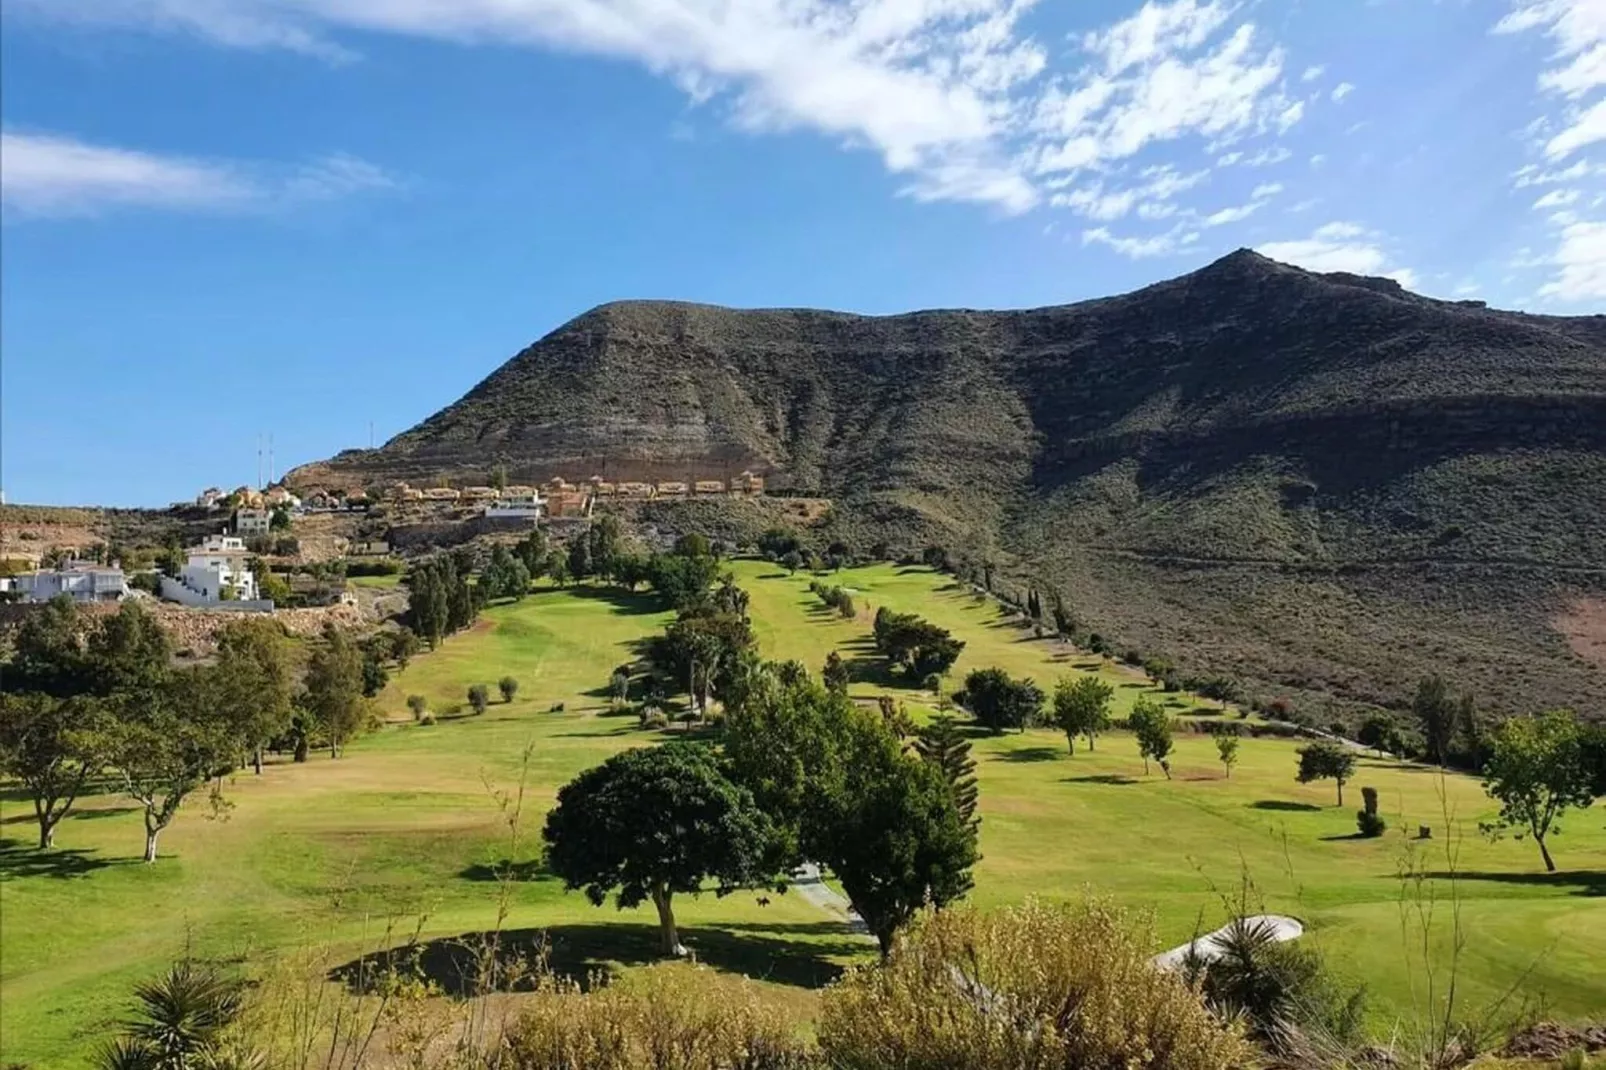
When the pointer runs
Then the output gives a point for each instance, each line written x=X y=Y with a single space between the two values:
x=234 y=218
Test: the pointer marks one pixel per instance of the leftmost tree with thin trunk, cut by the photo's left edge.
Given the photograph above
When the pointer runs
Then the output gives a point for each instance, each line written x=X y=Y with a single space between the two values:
x=52 y=746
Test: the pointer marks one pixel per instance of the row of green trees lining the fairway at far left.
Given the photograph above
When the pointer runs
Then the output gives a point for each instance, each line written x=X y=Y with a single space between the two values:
x=96 y=704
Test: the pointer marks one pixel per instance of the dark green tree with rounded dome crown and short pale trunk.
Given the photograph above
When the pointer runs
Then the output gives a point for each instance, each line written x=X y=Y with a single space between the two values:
x=654 y=822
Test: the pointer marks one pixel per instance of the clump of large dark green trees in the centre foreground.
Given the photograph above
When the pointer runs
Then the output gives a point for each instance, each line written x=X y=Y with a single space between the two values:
x=802 y=777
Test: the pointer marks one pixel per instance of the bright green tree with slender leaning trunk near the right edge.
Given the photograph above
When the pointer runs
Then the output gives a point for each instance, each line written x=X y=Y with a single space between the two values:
x=1536 y=772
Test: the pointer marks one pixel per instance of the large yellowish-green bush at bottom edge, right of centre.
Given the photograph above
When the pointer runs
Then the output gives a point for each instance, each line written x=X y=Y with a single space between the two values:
x=1033 y=987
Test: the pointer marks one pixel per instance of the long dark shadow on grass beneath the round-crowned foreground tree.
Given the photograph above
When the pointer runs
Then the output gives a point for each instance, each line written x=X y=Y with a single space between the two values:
x=590 y=954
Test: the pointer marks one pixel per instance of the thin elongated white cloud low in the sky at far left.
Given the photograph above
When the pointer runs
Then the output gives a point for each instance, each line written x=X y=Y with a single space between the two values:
x=54 y=176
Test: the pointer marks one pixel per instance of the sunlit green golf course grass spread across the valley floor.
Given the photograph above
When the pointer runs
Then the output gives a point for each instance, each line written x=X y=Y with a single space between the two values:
x=328 y=852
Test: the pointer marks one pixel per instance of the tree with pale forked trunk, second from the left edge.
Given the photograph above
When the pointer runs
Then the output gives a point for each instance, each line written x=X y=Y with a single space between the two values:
x=168 y=745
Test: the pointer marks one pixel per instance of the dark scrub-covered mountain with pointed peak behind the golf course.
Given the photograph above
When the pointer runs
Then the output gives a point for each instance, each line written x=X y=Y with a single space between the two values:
x=1324 y=484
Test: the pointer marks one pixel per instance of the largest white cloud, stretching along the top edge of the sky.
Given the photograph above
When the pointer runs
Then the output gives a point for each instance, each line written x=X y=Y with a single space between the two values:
x=953 y=96
